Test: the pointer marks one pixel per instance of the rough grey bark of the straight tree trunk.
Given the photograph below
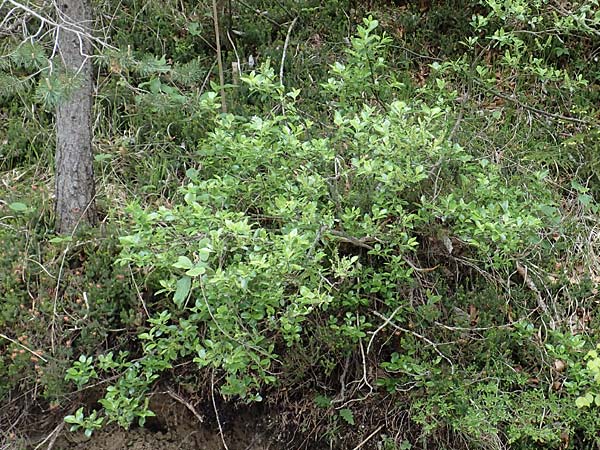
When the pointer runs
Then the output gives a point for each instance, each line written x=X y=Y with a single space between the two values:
x=75 y=190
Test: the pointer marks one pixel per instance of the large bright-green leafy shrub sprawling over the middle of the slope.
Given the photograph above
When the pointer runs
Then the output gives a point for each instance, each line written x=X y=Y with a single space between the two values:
x=288 y=224
